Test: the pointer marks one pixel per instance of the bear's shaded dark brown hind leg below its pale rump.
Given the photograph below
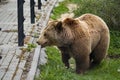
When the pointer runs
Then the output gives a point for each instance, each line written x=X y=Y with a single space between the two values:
x=100 y=51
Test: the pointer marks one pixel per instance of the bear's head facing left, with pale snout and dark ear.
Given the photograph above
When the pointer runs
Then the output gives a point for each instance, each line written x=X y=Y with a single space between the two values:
x=57 y=33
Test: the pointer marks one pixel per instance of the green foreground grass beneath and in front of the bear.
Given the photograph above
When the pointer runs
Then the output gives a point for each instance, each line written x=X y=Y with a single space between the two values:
x=55 y=69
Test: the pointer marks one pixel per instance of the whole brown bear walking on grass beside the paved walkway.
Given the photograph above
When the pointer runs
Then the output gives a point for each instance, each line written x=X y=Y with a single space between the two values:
x=85 y=38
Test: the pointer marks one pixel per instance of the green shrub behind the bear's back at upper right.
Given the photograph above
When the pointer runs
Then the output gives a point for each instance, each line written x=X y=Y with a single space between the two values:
x=107 y=9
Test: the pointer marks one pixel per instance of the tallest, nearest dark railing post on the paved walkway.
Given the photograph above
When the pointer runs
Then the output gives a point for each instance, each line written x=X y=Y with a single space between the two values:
x=20 y=22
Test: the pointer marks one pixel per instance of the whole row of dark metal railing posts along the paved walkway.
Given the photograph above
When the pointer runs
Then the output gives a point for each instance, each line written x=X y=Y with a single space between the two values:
x=21 y=18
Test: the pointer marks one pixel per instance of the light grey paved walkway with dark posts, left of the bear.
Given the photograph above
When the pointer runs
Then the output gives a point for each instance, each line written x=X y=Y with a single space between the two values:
x=17 y=63
